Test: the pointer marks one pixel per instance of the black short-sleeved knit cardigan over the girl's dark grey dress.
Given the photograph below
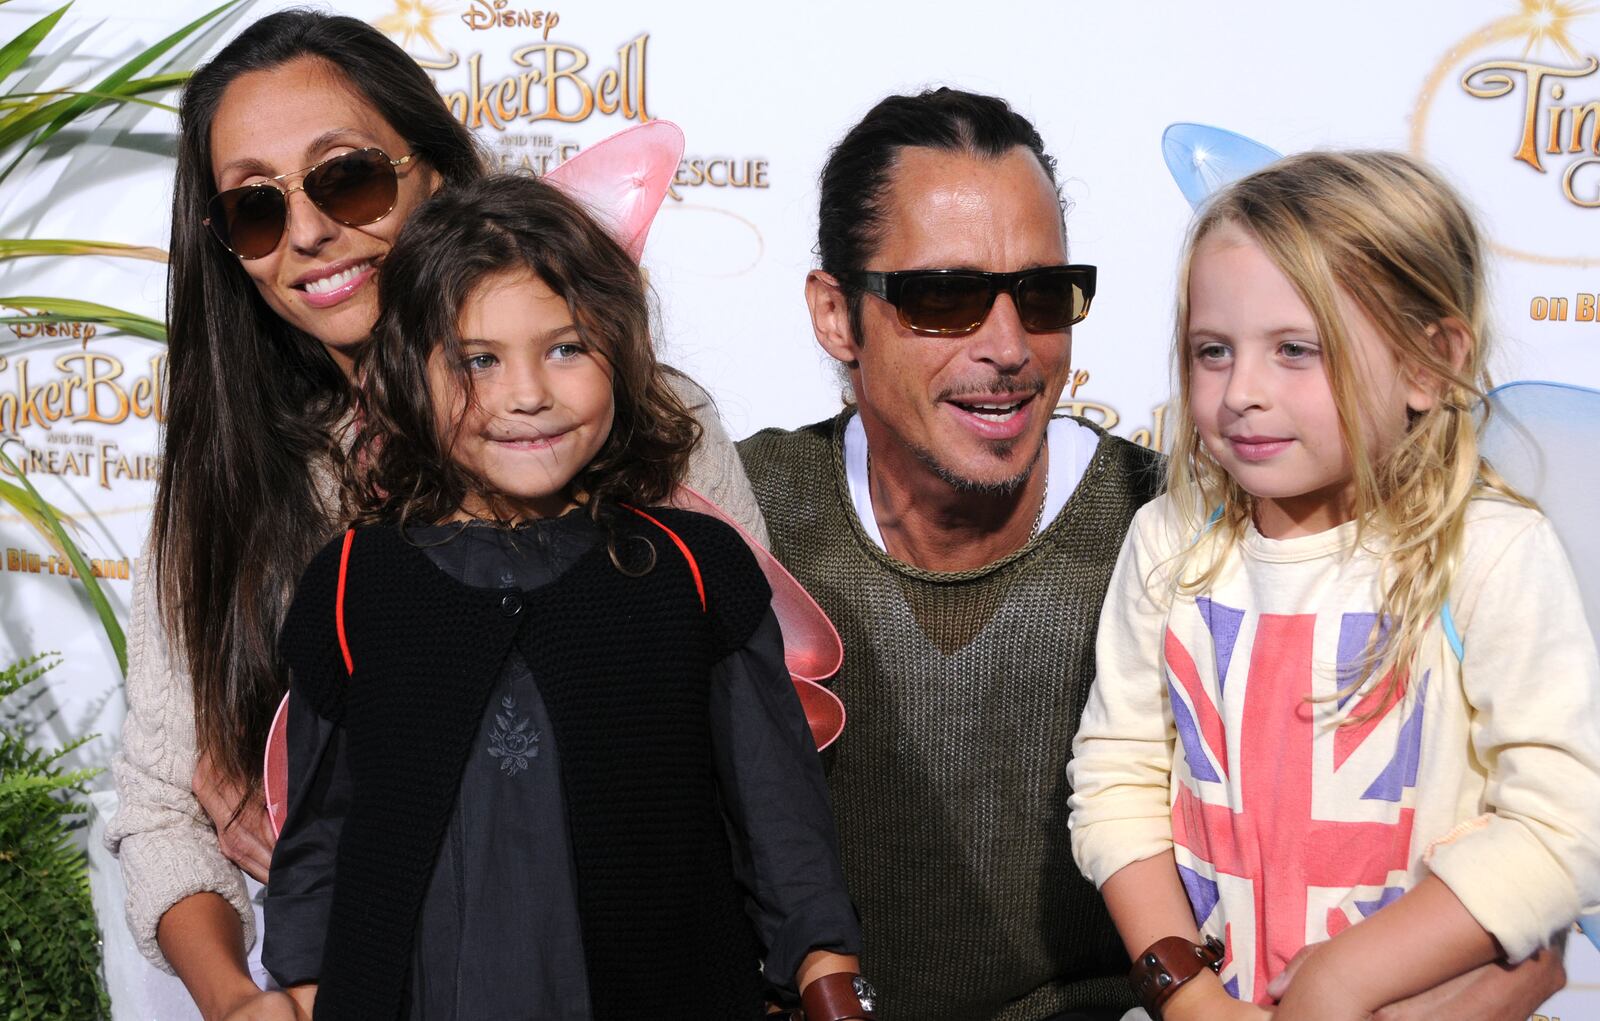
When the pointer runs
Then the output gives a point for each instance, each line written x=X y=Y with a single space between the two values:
x=623 y=667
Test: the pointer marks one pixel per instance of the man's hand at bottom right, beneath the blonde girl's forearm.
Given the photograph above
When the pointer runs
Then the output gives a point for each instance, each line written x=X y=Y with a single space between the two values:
x=1492 y=993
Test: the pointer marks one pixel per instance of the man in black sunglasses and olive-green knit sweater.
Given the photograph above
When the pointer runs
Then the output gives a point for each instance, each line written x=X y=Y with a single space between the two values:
x=961 y=535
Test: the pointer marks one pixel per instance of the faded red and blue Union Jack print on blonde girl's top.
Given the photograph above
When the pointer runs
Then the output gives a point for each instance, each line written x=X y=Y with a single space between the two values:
x=1289 y=827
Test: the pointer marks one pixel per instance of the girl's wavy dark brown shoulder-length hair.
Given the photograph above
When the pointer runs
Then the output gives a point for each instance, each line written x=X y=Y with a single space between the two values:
x=401 y=468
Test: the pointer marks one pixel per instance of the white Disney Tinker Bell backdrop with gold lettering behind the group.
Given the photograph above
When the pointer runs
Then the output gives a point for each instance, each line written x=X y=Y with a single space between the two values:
x=1503 y=95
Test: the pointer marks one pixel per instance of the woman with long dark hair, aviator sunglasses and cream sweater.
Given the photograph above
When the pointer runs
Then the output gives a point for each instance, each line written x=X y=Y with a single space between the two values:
x=303 y=148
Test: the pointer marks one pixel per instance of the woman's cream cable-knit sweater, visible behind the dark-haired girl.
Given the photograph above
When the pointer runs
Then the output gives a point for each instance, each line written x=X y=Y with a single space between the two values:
x=166 y=841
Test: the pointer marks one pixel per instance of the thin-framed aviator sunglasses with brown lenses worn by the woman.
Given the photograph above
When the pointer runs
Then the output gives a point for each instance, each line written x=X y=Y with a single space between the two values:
x=354 y=188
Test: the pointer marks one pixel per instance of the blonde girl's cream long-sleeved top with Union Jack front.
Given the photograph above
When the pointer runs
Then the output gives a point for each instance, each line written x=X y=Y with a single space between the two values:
x=1487 y=775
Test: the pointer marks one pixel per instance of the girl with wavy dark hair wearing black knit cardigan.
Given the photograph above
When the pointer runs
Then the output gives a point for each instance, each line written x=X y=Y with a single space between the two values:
x=545 y=753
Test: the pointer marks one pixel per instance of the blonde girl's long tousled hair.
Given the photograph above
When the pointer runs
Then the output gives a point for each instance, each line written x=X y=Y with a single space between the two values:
x=1396 y=239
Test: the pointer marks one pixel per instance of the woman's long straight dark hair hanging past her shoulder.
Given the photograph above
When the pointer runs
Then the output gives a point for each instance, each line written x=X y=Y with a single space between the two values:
x=254 y=402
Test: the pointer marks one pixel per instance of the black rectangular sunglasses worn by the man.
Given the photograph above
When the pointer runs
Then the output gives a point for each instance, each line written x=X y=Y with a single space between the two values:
x=958 y=302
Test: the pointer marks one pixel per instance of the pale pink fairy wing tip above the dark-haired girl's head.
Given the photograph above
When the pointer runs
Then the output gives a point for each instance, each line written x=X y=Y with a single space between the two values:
x=625 y=178
